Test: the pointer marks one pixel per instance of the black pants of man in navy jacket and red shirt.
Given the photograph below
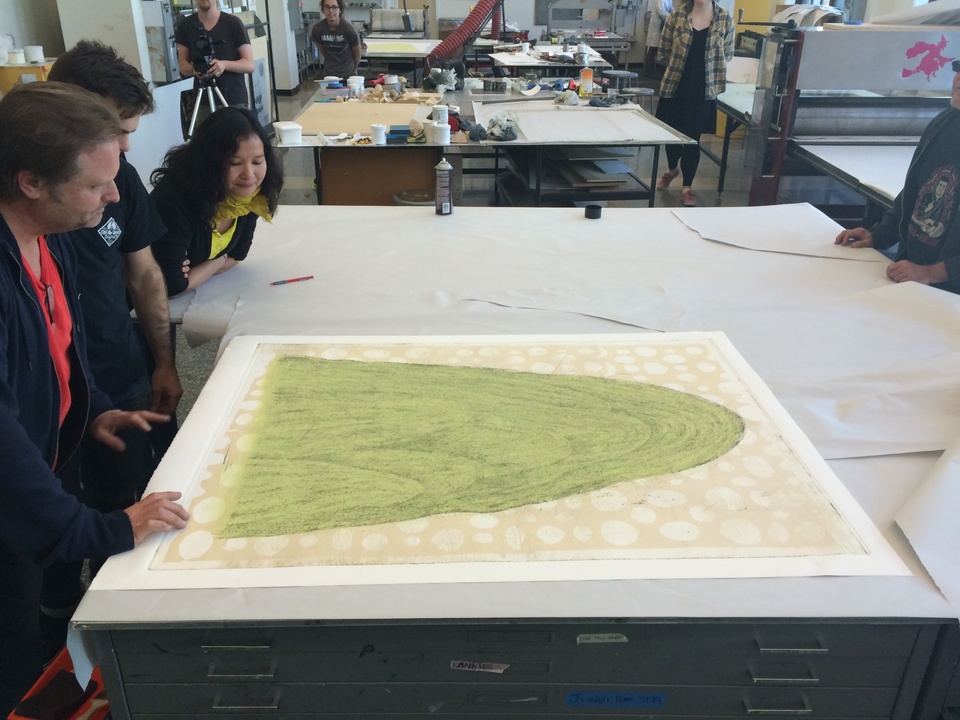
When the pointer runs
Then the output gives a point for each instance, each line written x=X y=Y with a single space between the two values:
x=20 y=661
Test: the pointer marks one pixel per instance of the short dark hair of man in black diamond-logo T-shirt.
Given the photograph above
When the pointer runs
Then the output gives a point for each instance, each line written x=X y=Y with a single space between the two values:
x=97 y=68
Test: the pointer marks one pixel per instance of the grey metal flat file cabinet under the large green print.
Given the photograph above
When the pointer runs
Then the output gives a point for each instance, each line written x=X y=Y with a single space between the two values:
x=627 y=668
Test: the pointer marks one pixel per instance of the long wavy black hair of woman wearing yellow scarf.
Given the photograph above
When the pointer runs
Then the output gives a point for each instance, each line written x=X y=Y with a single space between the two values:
x=199 y=167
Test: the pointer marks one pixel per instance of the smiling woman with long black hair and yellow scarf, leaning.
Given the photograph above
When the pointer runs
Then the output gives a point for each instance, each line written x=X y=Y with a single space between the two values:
x=210 y=193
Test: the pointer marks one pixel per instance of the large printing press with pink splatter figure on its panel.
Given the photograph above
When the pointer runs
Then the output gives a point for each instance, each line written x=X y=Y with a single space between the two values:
x=839 y=109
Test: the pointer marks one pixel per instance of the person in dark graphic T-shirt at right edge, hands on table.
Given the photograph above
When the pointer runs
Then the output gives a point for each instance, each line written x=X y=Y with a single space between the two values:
x=923 y=219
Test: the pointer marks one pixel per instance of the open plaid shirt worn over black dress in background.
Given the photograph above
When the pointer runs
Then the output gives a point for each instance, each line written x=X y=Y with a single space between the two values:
x=675 y=44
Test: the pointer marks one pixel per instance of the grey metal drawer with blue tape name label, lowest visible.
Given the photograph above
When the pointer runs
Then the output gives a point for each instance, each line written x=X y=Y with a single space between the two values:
x=470 y=700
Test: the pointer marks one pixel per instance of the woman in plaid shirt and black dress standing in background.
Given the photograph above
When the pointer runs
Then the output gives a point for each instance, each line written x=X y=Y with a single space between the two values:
x=696 y=42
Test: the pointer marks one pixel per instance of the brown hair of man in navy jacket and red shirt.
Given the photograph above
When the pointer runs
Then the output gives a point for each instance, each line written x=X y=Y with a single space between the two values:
x=45 y=127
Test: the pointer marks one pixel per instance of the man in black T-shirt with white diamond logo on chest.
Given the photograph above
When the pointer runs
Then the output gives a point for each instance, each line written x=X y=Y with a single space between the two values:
x=114 y=261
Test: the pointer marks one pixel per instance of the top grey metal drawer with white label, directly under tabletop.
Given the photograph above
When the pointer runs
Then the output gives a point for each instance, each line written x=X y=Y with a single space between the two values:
x=583 y=639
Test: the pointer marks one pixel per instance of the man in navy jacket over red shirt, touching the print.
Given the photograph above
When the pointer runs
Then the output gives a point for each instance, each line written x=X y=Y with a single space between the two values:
x=59 y=154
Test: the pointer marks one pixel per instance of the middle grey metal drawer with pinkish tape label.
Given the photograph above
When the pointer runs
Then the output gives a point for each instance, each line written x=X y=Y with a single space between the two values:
x=268 y=665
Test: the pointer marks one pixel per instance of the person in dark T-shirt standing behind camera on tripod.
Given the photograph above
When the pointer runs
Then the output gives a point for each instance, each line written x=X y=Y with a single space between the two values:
x=213 y=45
